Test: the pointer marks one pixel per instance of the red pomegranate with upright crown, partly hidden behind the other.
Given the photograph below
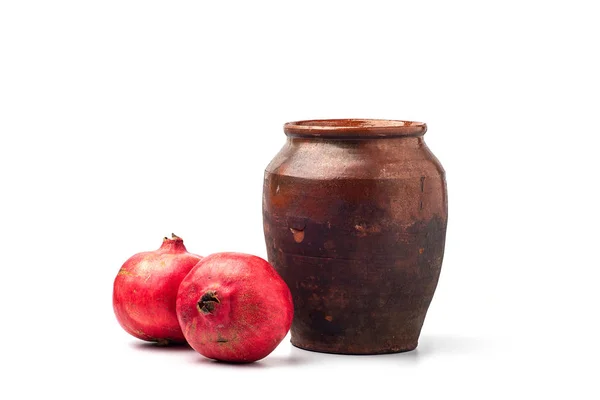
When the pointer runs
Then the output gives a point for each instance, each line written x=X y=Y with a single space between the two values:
x=145 y=292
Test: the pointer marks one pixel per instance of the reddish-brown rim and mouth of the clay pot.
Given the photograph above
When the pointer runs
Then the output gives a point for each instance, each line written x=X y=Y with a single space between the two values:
x=354 y=128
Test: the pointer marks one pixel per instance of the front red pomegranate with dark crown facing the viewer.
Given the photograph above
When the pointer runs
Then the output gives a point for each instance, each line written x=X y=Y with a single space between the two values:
x=234 y=307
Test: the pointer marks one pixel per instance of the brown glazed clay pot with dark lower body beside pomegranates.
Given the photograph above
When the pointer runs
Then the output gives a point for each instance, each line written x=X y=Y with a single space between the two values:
x=355 y=216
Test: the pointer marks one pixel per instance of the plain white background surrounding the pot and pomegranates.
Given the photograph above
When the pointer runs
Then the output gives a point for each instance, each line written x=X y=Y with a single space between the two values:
x=124 y=121
